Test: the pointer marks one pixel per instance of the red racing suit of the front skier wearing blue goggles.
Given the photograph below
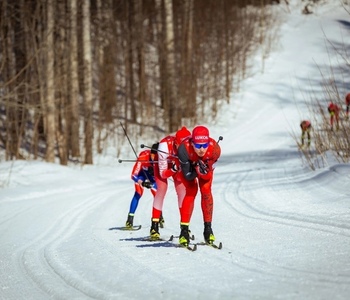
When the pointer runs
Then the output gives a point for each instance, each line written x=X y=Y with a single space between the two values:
x=197 y=171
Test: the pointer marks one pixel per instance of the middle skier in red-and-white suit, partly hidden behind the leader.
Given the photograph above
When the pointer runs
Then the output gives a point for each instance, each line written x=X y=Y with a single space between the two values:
x=168 y=166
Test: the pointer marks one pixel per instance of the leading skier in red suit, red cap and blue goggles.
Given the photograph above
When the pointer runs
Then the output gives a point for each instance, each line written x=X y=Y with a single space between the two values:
x=198 y=156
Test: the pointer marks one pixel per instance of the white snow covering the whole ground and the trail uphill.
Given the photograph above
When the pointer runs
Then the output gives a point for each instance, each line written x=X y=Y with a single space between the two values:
x=285 y=229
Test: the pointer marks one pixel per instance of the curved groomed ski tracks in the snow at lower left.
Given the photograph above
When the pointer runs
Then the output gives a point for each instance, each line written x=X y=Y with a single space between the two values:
x=40 y=261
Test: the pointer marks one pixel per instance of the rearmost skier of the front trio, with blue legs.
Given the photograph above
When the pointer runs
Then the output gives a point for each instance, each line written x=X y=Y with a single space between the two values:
x=143 y=176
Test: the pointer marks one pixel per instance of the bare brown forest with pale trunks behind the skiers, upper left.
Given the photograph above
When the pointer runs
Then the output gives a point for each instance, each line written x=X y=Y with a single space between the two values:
x=72 y=70
